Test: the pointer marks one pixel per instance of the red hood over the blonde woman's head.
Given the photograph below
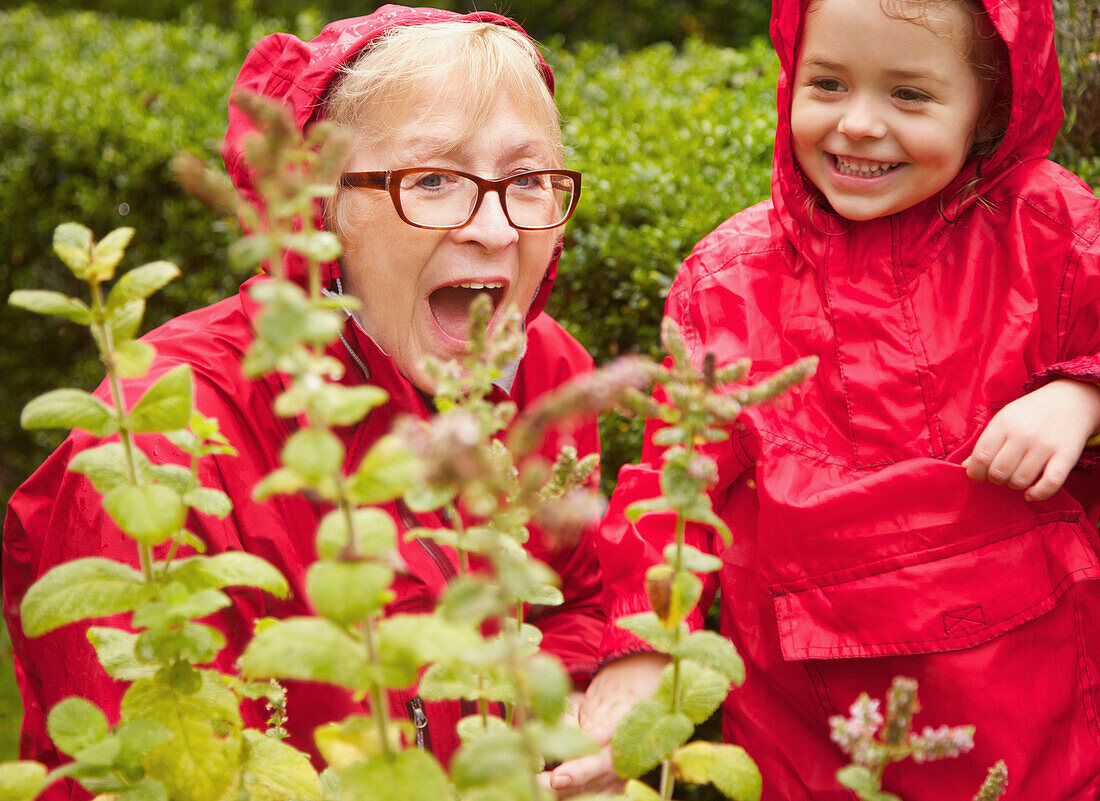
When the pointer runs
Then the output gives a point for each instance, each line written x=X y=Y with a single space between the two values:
x=299 y=74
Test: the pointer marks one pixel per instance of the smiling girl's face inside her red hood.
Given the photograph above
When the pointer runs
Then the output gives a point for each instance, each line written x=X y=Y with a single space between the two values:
x=884 y=111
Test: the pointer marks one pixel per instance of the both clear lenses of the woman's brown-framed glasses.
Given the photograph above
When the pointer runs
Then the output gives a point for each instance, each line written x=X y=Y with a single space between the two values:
x=443 y=200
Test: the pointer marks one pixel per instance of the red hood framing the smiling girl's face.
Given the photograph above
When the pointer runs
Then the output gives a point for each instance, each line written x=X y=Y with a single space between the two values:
x=1027 y=28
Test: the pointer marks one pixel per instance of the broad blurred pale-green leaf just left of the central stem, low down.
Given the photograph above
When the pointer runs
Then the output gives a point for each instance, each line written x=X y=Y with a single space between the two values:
x=307 y=649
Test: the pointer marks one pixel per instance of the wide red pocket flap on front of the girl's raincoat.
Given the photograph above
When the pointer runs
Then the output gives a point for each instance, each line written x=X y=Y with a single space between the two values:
x=947 y=599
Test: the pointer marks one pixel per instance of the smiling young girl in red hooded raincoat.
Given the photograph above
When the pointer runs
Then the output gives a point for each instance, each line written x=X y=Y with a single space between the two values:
x=928 y=508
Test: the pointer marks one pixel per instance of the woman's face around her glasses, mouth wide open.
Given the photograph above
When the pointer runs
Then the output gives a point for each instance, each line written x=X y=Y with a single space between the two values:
x=416 y=286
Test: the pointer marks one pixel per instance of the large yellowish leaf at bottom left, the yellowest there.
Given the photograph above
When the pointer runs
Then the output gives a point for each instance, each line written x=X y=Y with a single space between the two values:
x=200 y=761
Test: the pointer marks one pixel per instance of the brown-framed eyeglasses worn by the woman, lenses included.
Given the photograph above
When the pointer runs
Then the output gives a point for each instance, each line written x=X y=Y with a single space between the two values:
x=444 y=200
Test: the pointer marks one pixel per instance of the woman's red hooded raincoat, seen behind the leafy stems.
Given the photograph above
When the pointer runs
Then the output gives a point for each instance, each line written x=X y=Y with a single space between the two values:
x=57 y=517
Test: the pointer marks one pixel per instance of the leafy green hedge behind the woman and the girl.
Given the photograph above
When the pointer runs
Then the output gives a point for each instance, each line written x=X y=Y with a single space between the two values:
x=668 y=109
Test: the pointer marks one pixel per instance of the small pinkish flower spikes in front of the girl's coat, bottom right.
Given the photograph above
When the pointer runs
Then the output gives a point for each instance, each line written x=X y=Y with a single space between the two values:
x=875 y=741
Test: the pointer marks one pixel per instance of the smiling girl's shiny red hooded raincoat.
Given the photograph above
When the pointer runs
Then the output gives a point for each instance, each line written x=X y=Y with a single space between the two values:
x=862 y=552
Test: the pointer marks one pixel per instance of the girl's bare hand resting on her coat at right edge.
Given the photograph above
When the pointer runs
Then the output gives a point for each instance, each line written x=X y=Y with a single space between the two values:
x=1035 y=442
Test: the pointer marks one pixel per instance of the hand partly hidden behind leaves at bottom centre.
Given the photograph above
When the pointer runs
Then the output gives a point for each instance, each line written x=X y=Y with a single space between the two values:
x=610 y=697
